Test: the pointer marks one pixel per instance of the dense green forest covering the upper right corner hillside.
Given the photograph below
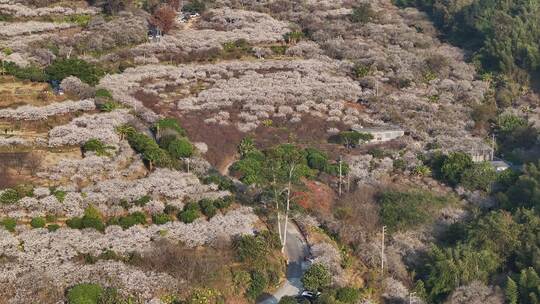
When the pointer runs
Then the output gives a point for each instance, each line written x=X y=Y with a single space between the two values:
x=503 y=34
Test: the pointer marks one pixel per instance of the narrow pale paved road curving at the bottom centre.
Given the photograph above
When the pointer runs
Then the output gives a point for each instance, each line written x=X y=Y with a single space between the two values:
x=296 y=250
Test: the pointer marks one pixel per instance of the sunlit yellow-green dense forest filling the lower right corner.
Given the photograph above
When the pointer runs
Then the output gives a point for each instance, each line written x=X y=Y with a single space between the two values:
x=499 y=246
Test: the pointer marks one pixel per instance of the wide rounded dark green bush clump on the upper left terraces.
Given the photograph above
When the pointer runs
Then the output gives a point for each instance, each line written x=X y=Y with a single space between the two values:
x=62 y=68
